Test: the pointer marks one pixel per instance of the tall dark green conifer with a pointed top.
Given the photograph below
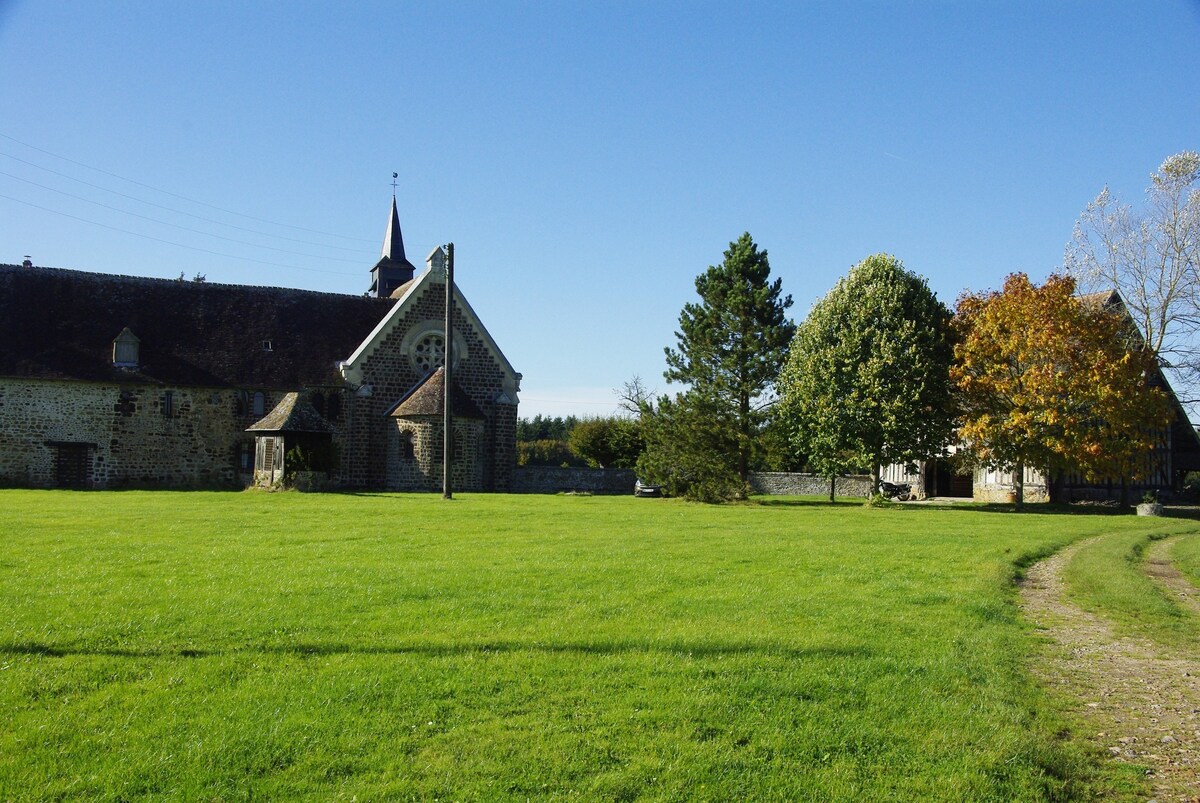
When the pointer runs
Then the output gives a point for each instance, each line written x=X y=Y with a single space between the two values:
x=731 y=345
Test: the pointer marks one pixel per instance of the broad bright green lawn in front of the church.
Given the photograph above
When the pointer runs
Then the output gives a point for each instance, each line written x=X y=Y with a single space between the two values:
x=227 y=646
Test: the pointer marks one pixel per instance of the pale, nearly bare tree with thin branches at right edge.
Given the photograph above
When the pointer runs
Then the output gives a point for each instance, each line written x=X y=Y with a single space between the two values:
x=1153 y=259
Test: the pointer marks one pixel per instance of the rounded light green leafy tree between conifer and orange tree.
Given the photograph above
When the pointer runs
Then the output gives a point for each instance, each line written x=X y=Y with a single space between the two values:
x=867 y=382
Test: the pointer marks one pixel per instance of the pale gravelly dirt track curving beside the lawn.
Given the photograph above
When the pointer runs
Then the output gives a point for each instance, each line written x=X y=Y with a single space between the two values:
x=1141 y=705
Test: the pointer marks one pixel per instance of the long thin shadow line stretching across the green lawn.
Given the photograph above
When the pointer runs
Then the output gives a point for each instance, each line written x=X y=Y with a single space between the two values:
x=441 y=651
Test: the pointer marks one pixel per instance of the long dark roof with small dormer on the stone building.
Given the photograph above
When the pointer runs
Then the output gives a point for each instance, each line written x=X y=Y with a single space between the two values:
x=61 y=325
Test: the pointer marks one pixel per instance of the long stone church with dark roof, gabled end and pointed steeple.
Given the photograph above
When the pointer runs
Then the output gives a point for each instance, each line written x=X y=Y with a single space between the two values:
x=112 y=382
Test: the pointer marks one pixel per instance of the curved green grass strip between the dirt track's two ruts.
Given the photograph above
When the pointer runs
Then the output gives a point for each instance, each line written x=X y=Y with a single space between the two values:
x=1108 y=577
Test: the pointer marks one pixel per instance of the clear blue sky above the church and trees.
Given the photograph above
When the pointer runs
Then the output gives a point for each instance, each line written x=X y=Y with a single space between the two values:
x=587 y=160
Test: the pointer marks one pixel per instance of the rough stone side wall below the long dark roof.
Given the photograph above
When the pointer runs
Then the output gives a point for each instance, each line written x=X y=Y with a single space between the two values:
x=136 y=435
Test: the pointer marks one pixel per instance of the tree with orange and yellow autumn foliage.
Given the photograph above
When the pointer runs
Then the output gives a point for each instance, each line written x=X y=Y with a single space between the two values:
x=1049 y=382
